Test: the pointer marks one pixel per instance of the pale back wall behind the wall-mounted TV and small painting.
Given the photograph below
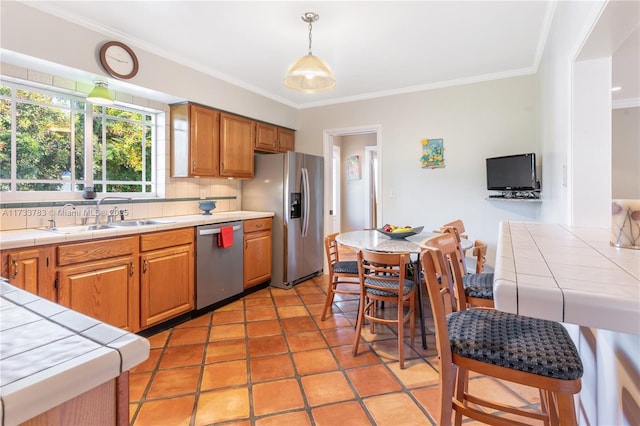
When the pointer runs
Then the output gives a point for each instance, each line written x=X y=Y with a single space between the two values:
x=476 y=121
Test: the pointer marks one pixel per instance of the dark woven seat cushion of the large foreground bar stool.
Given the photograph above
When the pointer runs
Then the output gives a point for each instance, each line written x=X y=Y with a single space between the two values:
x=517 y=342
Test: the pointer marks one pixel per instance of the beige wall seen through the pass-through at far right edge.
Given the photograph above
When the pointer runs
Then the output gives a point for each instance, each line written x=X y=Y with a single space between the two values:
x=625 y=179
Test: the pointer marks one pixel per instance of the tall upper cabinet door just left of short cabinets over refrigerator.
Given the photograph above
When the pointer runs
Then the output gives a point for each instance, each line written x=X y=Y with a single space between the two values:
x=237 y=137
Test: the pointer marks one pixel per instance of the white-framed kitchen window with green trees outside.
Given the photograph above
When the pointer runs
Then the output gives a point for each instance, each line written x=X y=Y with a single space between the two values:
x=54 y=142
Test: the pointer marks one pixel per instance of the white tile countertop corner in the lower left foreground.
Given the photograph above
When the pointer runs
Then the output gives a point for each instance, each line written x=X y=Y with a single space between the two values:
x=51 y=354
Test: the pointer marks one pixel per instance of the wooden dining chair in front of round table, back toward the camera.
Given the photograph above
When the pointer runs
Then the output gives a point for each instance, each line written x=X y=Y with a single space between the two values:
x=383 y=279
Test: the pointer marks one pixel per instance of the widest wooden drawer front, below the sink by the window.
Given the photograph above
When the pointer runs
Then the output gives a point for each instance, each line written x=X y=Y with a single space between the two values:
x=69 y=254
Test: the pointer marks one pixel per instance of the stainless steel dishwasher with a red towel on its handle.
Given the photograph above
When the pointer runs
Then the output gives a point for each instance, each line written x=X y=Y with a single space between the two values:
x=219 y=270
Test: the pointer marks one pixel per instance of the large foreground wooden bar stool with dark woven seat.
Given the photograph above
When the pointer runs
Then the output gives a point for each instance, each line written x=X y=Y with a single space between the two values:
x=529 y=351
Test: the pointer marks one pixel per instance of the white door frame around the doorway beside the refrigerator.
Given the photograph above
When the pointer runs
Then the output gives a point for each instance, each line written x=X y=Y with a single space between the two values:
x=327 y=137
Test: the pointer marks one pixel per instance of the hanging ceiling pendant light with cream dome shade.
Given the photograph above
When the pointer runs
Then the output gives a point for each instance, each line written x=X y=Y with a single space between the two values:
x=309 y=73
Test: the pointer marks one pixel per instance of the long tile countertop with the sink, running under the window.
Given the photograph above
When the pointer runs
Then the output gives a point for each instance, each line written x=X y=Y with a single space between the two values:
x=36 y=237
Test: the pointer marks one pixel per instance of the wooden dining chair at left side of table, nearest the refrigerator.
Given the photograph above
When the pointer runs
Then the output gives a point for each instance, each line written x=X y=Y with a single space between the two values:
x=343 y=274
